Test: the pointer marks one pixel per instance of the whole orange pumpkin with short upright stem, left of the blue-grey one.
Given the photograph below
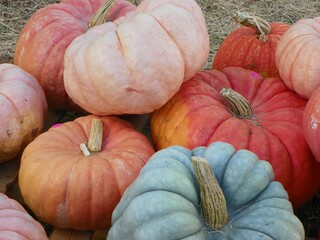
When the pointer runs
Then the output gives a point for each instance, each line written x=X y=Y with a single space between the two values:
x=73 y=175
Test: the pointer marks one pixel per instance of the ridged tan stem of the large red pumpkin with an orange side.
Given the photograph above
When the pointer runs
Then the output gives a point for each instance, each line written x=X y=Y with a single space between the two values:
x=238 y=105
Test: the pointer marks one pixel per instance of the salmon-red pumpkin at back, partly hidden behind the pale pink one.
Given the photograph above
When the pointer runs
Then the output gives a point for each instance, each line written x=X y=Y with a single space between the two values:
x=42 y=43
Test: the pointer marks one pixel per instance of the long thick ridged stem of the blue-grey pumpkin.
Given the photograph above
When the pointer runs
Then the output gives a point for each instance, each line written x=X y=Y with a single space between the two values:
x=213 y=202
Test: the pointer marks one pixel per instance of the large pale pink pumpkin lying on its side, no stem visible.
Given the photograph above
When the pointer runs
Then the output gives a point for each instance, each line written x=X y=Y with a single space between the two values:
x=138 y=61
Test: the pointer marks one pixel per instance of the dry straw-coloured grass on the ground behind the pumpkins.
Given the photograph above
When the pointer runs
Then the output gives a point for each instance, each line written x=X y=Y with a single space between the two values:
x=219 y=18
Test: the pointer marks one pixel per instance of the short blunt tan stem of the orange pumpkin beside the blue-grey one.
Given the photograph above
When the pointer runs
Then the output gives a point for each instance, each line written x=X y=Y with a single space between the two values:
x=95 y=138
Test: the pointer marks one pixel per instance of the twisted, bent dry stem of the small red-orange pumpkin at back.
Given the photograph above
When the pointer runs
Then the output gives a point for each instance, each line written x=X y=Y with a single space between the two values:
x=258 y=23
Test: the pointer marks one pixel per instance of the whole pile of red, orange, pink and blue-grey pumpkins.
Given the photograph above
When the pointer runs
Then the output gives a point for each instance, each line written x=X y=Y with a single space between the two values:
x=233 y=149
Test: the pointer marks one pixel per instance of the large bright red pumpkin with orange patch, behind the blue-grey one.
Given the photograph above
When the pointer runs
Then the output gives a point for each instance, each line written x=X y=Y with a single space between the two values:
x=240 y=107
